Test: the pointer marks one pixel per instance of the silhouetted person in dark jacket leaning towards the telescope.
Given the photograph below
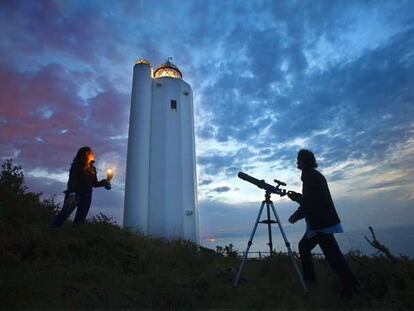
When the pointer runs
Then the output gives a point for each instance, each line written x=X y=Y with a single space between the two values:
x=322 y=221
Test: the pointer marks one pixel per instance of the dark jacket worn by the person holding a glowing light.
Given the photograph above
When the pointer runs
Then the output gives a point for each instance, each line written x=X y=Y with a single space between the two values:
x=82 y=179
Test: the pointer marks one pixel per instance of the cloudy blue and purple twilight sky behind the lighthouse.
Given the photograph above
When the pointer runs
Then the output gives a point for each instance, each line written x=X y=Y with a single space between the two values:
x=268 y=77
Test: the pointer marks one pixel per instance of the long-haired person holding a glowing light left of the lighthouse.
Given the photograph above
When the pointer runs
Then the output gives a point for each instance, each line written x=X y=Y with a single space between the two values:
x=82 y=177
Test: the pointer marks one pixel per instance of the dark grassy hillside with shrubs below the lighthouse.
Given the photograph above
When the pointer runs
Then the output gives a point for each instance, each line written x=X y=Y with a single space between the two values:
x=100 y=265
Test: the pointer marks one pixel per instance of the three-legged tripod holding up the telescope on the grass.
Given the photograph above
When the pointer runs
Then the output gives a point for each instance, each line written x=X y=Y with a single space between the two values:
x=269 y=222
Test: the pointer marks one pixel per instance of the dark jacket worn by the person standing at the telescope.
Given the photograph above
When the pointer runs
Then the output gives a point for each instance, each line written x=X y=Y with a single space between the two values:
x=316 y=205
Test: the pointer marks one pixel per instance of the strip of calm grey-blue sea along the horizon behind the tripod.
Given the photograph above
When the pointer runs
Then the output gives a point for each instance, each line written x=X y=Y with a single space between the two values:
x=399 y=240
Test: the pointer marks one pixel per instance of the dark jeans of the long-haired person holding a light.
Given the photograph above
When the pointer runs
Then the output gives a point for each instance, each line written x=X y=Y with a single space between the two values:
x=83 y=203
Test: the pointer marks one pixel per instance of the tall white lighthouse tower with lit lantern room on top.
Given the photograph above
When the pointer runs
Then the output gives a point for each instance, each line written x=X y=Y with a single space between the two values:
x=160 y=187
